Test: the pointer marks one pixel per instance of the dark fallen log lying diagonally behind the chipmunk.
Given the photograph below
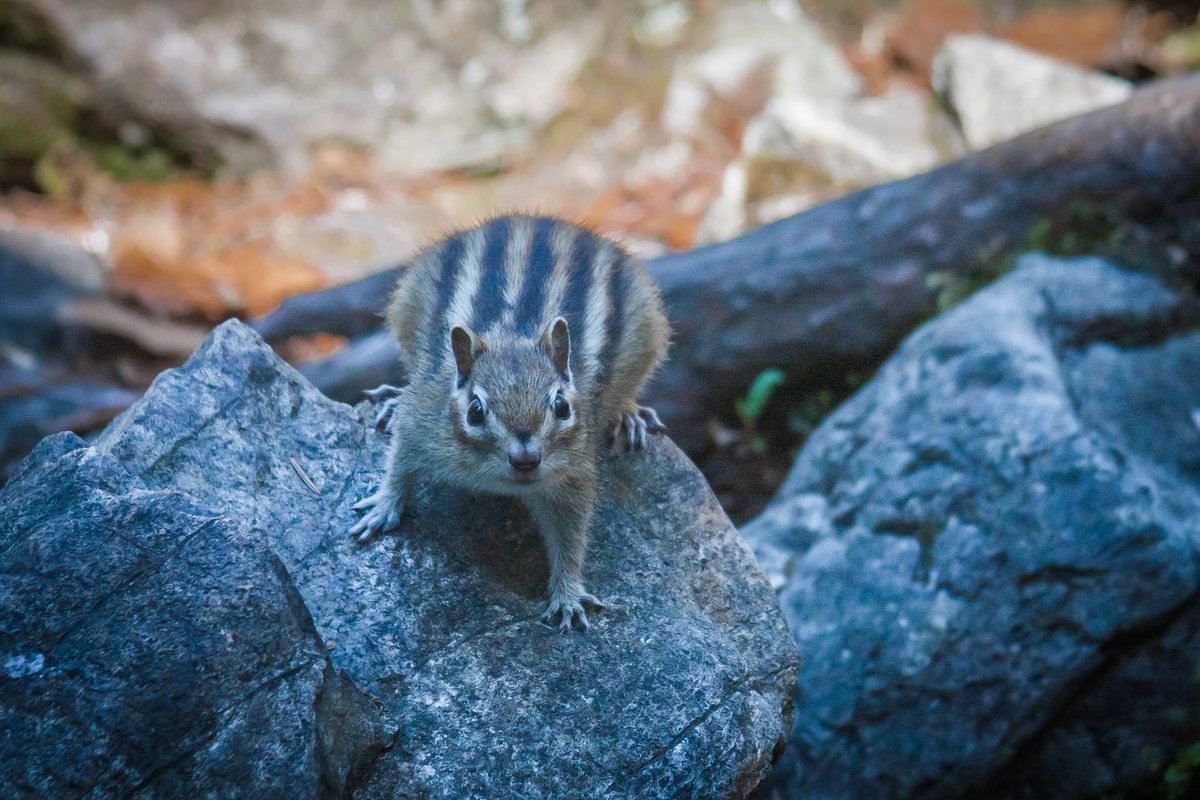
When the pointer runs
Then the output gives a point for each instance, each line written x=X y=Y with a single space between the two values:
x=832 y=291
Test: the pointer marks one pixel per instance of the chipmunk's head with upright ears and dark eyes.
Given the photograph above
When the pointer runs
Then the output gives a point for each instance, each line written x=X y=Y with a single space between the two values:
x=515 y=410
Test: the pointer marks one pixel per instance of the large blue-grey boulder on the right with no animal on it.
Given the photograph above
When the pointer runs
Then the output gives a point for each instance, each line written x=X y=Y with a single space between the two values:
x=994 y=549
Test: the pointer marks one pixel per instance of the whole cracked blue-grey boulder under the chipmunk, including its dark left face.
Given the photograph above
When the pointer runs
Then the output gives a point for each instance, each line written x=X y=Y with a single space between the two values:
x=184 y=615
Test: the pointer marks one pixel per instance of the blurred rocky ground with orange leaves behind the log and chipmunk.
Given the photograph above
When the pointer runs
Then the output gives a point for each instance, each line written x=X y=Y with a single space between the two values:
x=166 y=166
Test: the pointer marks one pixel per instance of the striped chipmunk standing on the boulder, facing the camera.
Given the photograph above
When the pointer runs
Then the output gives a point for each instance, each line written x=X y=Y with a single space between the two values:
x=527 y=341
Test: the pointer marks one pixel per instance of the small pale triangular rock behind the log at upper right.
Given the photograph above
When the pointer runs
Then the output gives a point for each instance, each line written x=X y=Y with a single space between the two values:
x=999 y=91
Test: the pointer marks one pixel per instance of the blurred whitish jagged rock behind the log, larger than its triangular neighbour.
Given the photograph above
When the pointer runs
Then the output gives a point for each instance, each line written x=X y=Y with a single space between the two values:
x=813 y=130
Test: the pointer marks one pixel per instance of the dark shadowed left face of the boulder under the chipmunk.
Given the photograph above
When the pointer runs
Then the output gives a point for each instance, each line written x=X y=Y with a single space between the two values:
x=153 y=648
